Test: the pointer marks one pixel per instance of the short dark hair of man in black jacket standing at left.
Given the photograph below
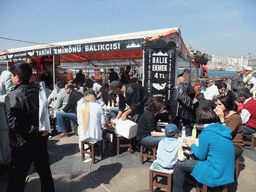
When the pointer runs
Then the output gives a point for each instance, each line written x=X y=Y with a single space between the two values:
x=23 y=70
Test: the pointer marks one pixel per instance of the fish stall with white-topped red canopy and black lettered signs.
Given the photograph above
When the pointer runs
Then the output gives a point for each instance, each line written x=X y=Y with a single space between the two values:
x=164 y=47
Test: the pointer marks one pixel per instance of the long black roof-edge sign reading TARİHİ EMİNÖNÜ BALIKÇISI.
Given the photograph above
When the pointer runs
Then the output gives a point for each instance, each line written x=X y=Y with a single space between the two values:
x=79 y=48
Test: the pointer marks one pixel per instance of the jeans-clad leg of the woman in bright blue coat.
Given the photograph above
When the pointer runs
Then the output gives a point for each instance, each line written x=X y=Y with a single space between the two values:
x=180 y=170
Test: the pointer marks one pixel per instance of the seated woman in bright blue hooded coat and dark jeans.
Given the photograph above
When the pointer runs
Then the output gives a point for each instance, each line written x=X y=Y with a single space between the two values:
x=215 y=152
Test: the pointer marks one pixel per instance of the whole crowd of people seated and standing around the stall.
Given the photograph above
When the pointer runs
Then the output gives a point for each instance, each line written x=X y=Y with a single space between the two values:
x=80 y=104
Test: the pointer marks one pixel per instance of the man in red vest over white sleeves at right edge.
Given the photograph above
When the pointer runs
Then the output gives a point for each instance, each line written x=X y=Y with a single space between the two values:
x=248 y=113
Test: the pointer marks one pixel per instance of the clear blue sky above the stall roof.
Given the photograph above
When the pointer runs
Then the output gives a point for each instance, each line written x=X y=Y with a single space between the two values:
x=222 y=27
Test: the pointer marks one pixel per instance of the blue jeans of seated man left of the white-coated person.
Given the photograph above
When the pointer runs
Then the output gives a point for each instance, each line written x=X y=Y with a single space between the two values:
x=61 y=117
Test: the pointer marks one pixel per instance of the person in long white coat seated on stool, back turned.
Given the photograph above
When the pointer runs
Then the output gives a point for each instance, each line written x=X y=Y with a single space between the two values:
x=90 y=117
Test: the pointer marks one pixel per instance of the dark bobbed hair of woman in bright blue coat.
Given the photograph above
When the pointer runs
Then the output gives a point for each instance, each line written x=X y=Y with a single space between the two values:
x=206 y=115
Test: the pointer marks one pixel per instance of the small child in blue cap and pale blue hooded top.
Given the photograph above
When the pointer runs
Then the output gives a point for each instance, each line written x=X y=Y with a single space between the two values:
x=170 y=149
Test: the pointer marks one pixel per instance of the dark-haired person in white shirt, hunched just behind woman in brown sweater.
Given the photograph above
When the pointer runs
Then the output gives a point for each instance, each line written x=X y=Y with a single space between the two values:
x=214 y=91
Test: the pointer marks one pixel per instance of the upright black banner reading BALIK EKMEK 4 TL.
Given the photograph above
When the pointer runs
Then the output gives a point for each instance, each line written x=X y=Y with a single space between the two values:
x=159 y=68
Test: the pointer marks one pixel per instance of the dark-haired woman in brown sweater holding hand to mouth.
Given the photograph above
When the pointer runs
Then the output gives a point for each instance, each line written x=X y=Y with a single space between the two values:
x=227 y=112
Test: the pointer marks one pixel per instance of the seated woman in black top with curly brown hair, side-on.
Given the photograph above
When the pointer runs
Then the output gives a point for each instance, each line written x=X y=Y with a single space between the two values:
x=148 y=133
